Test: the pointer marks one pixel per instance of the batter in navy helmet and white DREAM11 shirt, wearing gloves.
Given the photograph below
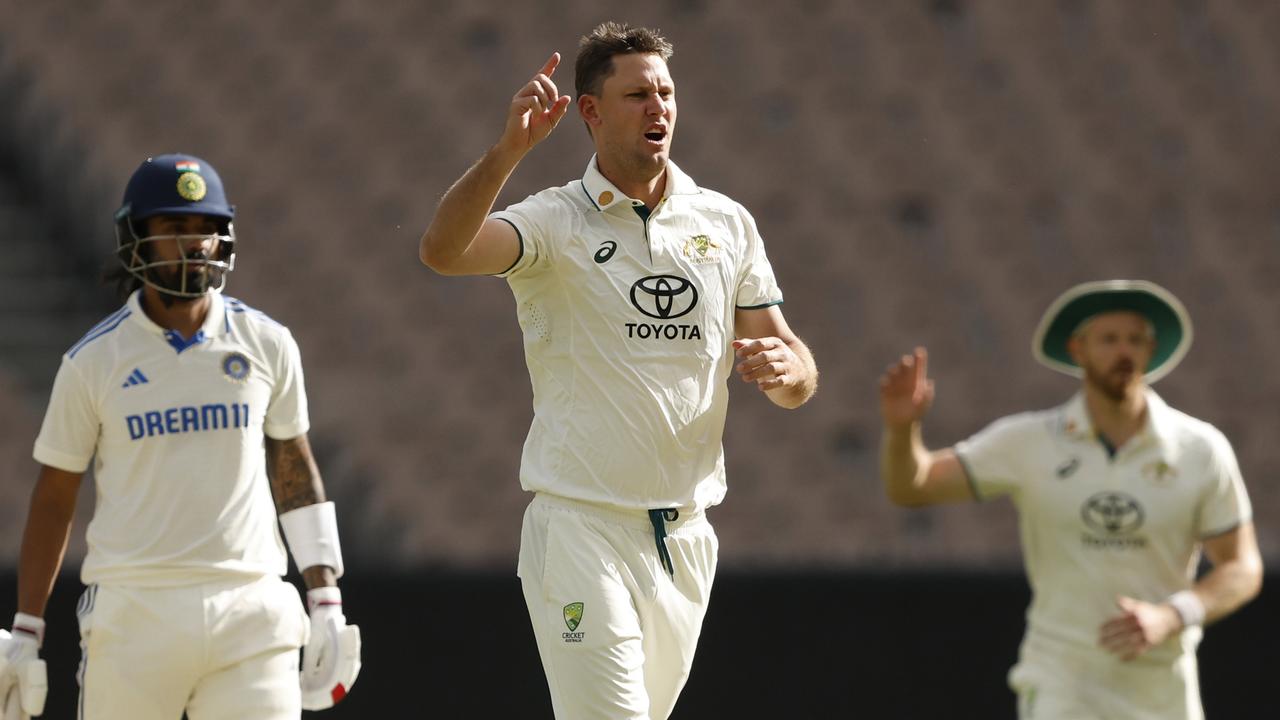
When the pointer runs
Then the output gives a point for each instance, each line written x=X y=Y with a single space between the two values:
x=193 y=409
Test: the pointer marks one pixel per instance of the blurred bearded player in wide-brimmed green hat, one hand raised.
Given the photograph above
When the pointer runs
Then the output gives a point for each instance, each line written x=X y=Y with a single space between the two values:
x=1118 y=495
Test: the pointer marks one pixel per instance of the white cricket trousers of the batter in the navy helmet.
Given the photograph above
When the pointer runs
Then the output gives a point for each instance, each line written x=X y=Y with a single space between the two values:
x=218 y=651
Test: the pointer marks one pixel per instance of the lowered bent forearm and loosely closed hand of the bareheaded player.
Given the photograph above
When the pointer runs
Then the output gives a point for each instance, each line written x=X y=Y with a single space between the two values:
x=774 y=358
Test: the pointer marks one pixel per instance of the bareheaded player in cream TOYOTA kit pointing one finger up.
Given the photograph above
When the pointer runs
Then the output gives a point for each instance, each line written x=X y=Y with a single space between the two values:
x=634 y=288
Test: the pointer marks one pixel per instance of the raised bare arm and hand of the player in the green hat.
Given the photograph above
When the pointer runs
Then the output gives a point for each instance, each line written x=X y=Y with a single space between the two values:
x=913 y=476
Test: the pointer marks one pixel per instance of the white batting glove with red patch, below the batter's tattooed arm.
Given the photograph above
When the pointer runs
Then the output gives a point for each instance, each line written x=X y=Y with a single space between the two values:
x=331 y=662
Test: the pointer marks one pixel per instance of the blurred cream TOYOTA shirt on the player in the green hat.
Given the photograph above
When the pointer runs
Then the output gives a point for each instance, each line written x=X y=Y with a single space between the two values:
x=1094 y=527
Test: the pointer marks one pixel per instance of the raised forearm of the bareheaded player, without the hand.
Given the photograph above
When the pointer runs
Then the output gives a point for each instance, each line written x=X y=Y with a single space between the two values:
x=465 y=208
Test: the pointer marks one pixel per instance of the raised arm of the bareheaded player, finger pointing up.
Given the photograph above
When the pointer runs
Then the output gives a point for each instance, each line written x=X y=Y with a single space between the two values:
x=461 y=239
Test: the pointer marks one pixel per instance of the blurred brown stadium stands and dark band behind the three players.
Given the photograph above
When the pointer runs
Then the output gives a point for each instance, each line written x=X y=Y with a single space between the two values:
x=924 y=172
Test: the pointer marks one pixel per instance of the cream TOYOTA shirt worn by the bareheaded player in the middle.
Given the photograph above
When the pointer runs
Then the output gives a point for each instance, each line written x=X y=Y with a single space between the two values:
x=628 y=326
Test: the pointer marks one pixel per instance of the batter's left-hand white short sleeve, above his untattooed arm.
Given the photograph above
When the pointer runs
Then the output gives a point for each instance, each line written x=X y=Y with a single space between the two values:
x=68 y=438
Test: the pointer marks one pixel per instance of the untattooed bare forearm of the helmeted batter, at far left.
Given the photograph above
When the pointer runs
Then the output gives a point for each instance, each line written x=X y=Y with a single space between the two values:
x=44 y=545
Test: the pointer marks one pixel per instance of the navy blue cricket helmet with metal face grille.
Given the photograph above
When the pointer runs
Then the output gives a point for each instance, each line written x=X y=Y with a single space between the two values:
x=176 y=185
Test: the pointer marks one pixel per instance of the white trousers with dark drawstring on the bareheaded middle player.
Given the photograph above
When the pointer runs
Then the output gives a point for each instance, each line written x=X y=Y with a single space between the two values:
x=615 y=631
